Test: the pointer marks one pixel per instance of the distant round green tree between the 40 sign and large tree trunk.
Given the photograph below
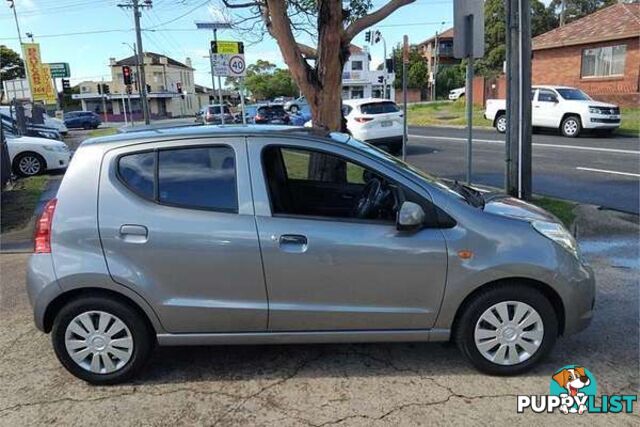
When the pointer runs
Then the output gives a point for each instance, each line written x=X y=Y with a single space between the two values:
x=265 y=81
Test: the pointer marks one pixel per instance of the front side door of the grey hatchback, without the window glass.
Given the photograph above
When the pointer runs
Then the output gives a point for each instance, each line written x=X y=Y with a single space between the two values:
x=339 y=273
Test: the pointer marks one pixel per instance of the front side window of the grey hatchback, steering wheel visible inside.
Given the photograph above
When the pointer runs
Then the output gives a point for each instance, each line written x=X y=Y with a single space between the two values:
x=313 y=183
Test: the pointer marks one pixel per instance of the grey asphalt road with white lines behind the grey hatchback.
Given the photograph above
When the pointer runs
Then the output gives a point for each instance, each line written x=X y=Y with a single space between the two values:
x=599 y=171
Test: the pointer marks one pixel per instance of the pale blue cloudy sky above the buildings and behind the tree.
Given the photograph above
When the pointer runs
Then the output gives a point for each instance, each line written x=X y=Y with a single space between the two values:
x=170 y=30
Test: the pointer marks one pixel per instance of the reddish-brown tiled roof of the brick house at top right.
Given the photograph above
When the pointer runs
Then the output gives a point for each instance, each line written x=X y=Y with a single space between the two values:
x=619 y=21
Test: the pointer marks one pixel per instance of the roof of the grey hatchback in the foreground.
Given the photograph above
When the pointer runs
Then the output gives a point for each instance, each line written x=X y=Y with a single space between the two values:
x=198 y=131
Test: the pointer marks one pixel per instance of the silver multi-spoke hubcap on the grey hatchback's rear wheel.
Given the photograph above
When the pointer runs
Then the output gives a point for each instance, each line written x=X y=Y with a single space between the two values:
x=99 y=342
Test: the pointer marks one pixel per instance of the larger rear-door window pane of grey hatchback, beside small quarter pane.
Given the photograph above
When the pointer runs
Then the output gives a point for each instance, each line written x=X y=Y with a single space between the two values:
x=201 y=178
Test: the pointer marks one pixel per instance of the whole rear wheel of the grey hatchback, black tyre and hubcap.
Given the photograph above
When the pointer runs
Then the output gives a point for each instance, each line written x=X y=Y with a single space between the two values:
x=101 y=340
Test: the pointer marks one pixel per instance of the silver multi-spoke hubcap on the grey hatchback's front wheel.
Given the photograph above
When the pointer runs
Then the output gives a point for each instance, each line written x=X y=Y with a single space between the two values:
x=509 y=332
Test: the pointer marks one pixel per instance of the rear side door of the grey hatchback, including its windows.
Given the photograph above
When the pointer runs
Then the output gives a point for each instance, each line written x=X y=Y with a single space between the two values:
x=177 y=226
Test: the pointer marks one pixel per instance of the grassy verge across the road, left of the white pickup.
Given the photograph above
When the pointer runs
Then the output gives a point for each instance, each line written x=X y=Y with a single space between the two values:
x=444 y=113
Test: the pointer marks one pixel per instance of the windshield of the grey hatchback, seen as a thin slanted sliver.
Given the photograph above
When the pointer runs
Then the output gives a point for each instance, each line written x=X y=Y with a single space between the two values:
x=467 y=194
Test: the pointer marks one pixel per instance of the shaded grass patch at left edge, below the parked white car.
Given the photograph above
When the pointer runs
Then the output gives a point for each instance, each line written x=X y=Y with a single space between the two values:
x=19 y=203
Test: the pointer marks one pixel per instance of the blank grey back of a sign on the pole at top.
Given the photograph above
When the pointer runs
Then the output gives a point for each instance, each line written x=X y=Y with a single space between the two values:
x=463 y=42
